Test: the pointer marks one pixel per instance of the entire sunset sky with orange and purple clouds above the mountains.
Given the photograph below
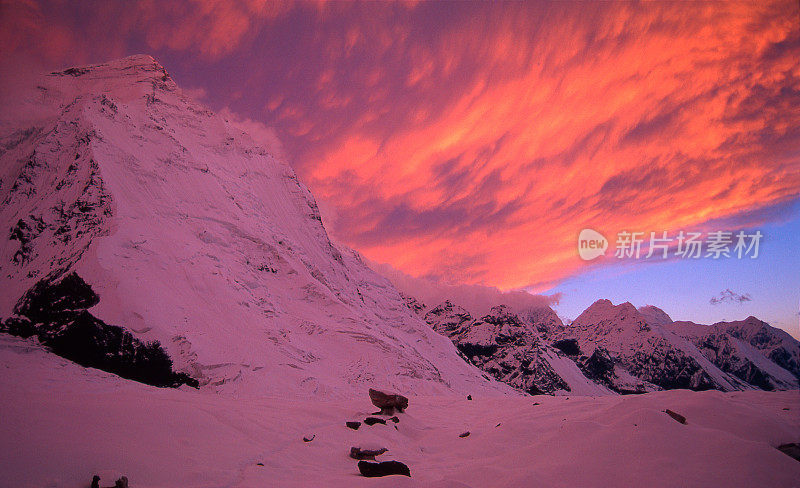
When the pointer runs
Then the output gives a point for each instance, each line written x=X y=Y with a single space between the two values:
x=470 y=143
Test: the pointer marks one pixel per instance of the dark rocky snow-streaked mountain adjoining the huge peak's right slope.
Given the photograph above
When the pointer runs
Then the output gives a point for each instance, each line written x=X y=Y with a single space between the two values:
x=510 y=349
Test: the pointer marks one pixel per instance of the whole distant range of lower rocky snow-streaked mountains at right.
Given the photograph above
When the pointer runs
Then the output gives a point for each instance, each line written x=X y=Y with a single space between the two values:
x=617 y=348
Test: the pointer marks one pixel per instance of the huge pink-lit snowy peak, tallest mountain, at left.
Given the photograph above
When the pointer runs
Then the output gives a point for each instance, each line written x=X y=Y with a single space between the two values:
x=134 y=215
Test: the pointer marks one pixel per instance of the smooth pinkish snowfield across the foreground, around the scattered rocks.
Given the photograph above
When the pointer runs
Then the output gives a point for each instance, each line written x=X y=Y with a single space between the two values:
x=62 y=423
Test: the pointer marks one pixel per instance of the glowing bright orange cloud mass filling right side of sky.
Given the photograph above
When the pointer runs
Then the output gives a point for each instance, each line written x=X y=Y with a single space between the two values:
x=645 y=117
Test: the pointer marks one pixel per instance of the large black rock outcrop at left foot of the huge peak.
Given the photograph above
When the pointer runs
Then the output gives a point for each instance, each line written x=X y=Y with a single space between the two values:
x=56 y=312
